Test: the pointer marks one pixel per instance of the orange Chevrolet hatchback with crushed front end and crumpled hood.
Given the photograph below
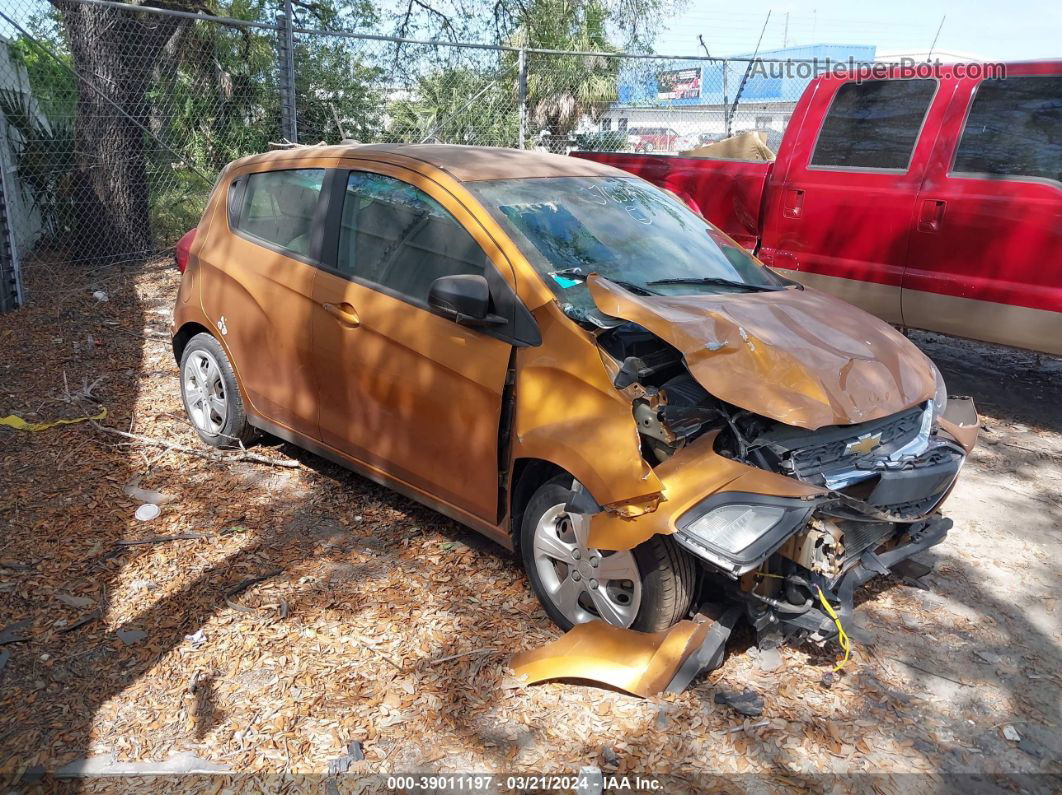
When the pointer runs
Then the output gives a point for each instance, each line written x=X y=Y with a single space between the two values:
x=571 y=361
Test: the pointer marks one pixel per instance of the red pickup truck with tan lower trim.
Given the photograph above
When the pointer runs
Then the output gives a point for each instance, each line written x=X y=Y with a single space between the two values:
x=933 y=202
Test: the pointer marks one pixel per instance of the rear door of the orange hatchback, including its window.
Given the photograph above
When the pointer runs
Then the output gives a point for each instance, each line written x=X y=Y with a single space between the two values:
x=258 y=289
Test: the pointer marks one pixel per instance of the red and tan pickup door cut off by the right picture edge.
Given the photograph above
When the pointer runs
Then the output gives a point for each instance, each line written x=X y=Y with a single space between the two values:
x=986 y=256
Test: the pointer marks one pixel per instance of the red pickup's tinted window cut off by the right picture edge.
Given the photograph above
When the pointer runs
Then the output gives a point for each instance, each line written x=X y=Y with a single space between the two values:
x=1015 y=129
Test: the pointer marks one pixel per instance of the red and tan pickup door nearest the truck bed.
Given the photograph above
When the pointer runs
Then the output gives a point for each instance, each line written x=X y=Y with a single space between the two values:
x=840 y=210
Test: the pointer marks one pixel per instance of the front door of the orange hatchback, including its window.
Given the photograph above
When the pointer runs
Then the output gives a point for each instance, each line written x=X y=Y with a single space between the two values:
x=410 y=394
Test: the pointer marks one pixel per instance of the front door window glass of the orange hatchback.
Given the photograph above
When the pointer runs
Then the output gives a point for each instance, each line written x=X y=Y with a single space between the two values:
x=398 y=237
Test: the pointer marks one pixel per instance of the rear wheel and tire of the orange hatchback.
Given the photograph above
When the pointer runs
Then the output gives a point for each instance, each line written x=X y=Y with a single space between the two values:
x=212 y=396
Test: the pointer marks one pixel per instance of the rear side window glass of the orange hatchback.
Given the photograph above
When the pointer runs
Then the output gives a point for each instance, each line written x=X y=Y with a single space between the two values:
x=279 y=208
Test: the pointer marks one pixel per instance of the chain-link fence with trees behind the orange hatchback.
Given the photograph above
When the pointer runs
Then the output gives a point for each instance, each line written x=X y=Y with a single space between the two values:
x=116 y=119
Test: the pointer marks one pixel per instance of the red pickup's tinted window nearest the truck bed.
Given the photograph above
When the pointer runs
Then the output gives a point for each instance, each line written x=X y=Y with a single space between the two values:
x=873 y=125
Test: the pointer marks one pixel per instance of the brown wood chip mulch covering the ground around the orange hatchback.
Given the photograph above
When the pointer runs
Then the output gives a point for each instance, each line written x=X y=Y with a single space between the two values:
x=271 y=616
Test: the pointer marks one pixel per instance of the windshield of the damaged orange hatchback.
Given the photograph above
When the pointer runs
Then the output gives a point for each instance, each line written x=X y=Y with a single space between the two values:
x=623 y=229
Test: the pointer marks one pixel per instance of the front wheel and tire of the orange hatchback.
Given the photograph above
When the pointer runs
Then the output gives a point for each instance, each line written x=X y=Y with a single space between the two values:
x=648 y=589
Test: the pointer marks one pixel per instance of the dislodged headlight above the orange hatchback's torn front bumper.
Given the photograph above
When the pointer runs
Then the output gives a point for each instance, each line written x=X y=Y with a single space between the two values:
x=736 y=532
